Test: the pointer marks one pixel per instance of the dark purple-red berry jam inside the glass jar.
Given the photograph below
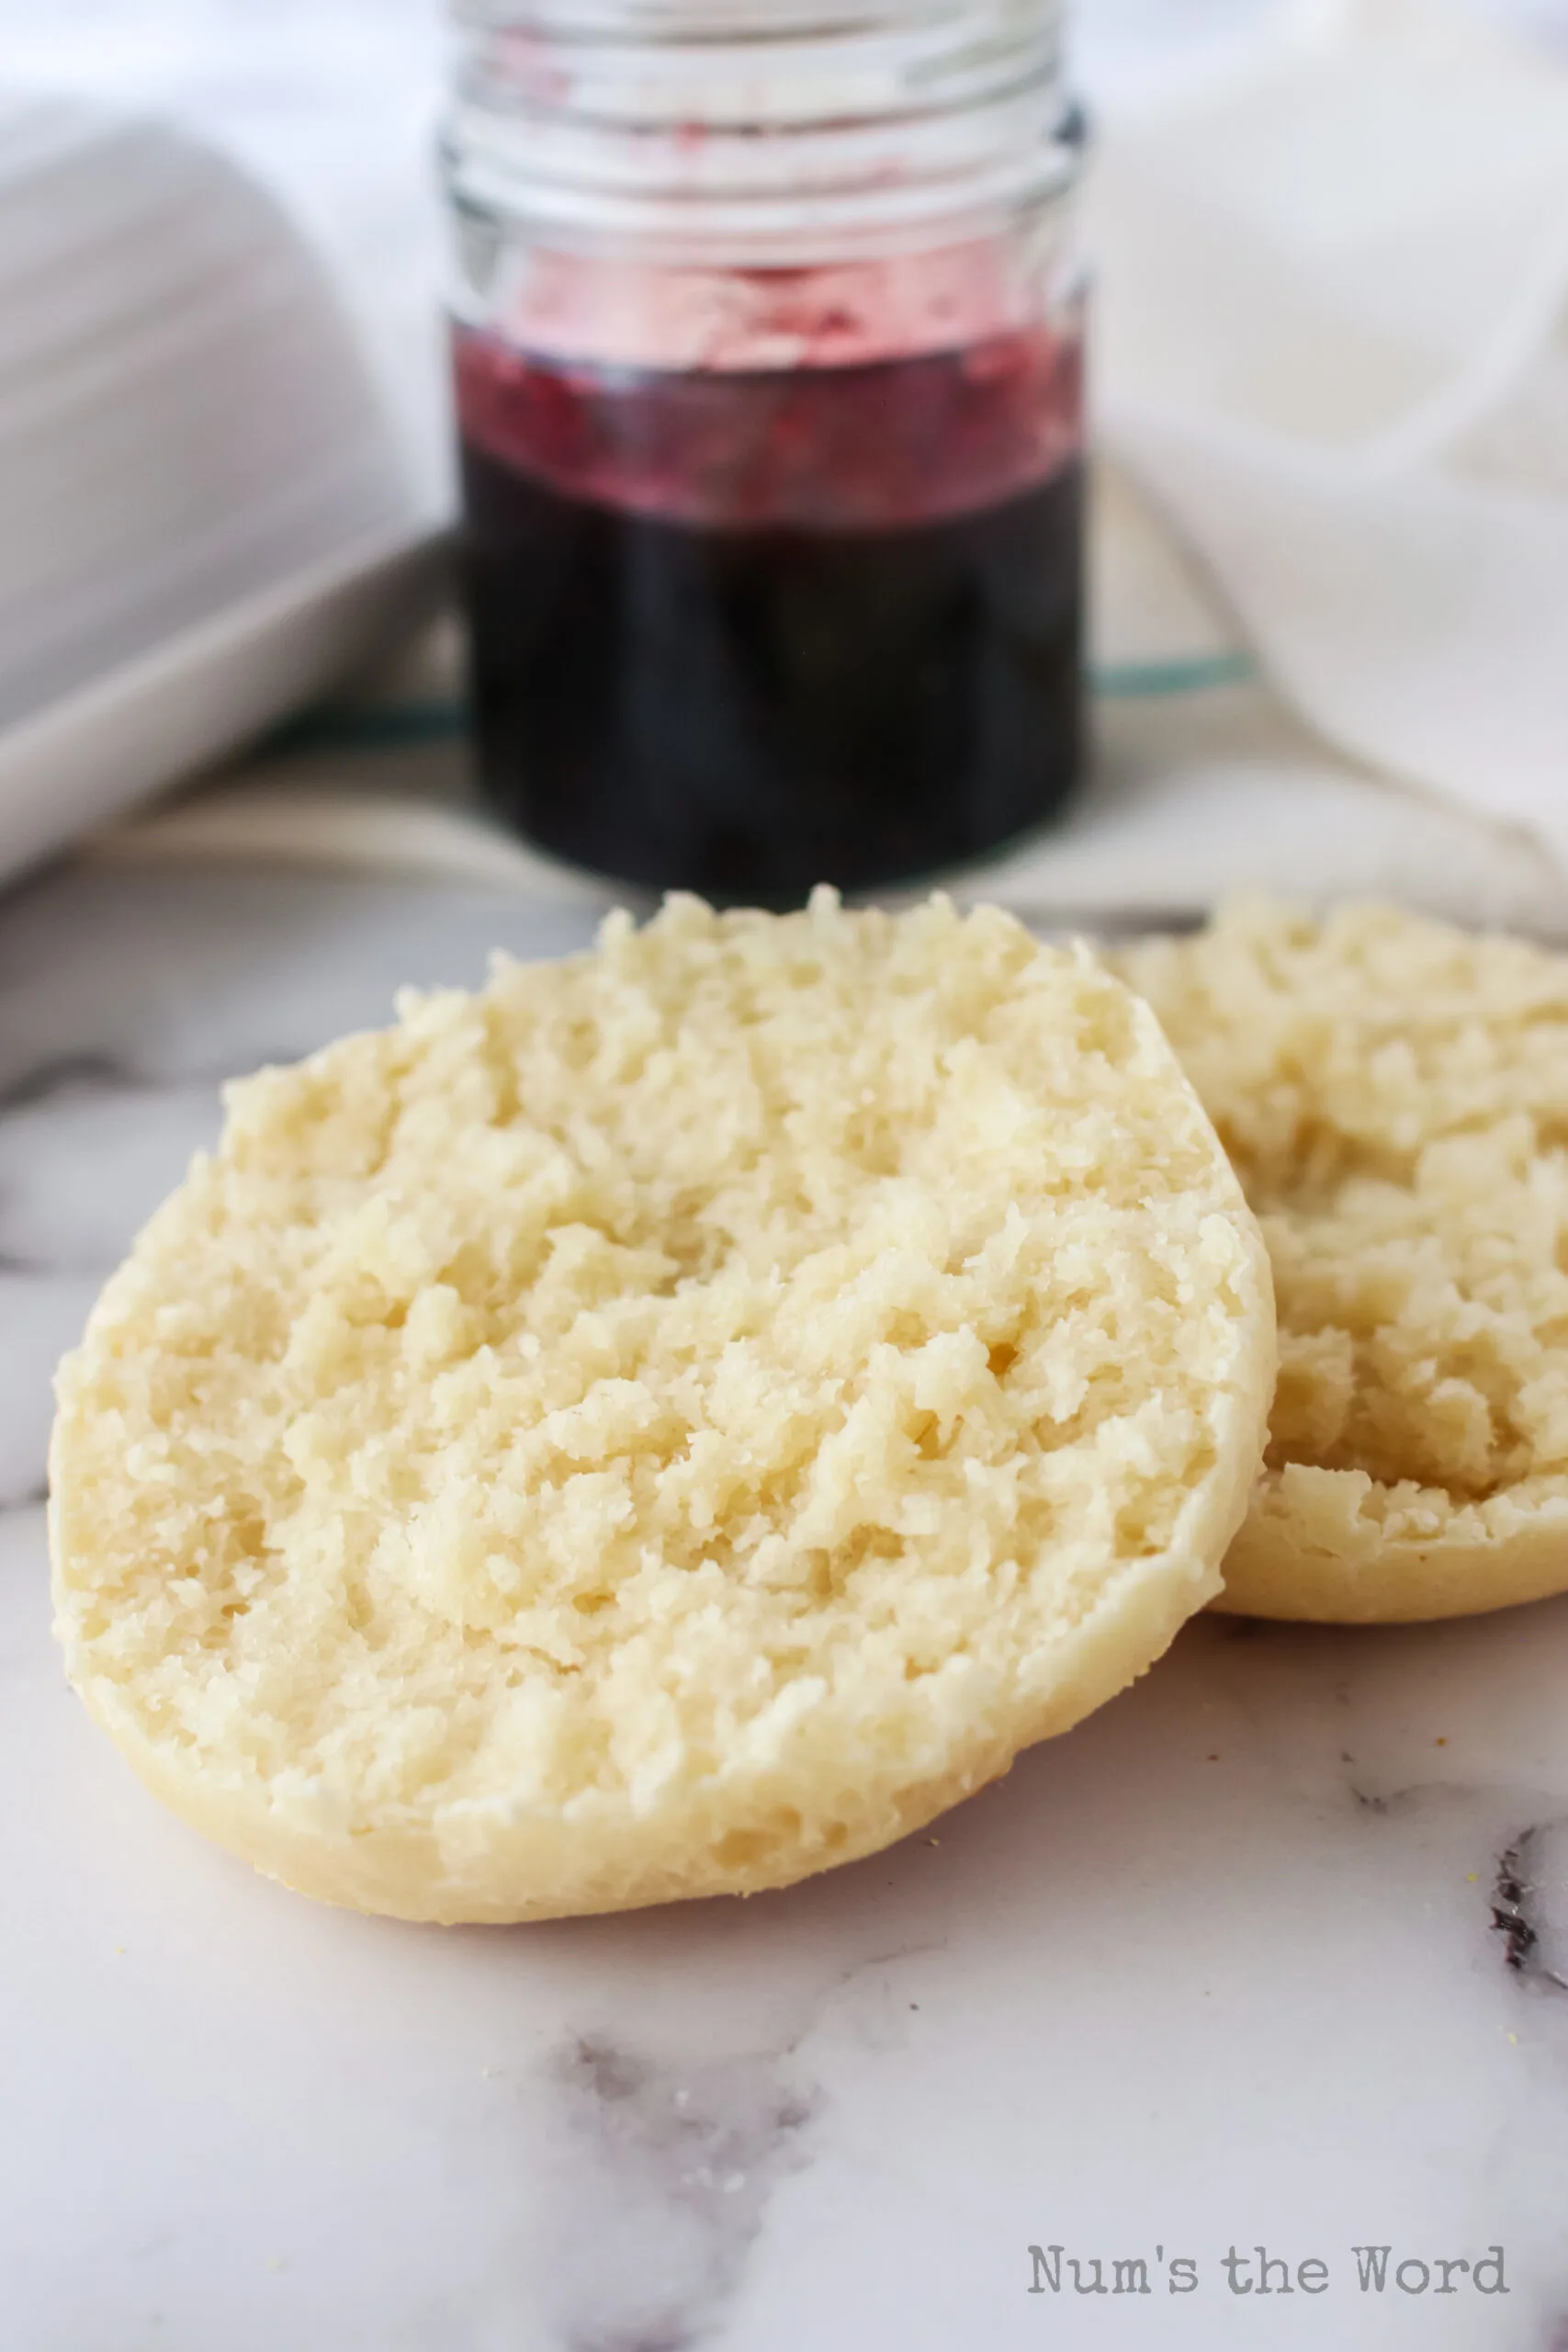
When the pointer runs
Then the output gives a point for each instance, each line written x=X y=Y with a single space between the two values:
x=749 y=632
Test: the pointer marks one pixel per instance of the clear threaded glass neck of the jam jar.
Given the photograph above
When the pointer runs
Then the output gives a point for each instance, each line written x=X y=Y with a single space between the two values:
x=775 y=135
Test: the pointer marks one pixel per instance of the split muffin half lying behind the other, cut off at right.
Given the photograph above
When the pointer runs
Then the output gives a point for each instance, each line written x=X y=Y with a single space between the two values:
x=1395 y=1100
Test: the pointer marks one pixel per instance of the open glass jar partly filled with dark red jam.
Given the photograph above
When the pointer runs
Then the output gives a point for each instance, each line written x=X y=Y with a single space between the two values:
x=770 y=335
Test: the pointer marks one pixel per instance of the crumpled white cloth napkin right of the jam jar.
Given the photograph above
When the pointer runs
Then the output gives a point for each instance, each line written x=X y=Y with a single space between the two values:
x=1334 y=352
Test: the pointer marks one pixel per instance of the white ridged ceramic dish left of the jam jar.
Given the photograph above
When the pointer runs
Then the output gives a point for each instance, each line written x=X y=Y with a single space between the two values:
x=203 y=505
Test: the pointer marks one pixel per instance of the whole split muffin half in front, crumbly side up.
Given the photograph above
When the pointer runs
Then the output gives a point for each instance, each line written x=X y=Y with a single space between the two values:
x=669 y=1422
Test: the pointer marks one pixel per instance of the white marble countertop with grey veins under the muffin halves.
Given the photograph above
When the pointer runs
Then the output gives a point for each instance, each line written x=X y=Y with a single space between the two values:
x=1271 y=1953
